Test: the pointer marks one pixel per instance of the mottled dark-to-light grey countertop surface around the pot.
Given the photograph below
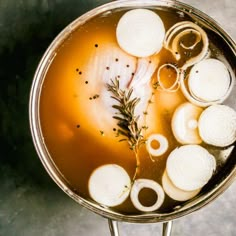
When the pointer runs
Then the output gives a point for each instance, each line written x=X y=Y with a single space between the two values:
x=30 y=202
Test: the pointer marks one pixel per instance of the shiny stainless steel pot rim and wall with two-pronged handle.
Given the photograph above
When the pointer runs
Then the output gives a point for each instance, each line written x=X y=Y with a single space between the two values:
x=215 y=187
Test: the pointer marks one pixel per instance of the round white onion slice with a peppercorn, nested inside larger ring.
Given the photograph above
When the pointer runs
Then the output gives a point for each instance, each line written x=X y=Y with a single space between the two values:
x=209 y=80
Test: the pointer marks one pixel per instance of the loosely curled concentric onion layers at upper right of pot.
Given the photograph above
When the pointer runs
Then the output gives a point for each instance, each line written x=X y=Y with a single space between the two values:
x=173 y=37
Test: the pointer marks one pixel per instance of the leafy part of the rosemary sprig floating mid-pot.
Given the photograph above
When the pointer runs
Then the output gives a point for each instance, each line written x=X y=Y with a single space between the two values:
x=127 y=121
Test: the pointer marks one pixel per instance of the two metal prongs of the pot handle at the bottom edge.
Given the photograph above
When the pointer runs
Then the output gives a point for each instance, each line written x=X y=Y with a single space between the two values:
x=114 y=229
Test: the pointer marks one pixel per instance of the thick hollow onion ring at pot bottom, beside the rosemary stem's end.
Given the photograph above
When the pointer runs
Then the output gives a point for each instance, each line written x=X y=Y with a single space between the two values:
x=138 y=185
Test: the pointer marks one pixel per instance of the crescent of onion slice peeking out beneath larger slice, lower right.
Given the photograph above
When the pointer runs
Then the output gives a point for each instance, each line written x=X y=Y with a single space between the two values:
x=175 y=193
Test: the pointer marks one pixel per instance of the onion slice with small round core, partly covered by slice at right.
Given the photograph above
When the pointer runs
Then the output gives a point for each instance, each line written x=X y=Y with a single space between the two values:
x=185 y=123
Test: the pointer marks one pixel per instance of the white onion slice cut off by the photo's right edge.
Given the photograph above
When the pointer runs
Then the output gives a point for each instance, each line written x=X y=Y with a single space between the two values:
x=217 y=125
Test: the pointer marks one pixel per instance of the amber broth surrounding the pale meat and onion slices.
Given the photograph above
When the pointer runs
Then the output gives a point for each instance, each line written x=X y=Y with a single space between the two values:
x=75 y=141
